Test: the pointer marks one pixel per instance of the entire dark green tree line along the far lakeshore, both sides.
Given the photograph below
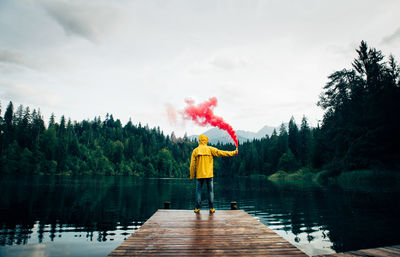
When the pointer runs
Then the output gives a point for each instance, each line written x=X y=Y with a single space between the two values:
x=359 y=130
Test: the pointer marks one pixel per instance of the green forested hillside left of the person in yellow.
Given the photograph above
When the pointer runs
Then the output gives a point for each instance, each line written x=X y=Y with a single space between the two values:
x=88 y=147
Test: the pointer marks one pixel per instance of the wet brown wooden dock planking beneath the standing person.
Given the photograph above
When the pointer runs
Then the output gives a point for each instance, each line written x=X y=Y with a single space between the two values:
x=224 y=233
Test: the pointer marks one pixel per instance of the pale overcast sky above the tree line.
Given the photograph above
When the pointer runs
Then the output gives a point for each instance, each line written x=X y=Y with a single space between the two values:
x=264 y=60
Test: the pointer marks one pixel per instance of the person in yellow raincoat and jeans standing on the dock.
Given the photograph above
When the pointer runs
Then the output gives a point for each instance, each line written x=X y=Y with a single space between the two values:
x=201 y=166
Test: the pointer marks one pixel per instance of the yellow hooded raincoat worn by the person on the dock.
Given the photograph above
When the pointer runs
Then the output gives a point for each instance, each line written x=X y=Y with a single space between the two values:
x=202 y=158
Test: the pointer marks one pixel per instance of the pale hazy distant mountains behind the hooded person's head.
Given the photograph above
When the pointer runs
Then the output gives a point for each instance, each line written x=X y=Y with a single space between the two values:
x=220 y=136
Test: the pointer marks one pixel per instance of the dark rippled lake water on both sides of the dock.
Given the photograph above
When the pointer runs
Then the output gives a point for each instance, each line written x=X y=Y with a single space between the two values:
x=63 y=216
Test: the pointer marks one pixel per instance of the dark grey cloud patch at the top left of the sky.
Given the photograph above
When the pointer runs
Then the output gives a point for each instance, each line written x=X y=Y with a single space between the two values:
x=81 y=19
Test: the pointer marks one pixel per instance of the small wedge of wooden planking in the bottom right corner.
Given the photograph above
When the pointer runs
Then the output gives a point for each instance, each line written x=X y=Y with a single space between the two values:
x=387 y=251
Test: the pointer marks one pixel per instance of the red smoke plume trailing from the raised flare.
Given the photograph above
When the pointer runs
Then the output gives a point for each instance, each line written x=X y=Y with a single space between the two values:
x=202 y=114
